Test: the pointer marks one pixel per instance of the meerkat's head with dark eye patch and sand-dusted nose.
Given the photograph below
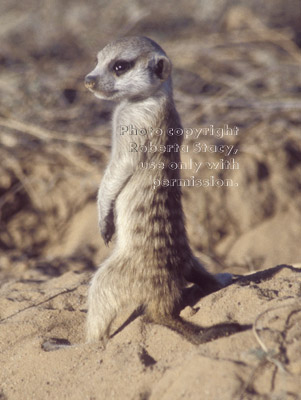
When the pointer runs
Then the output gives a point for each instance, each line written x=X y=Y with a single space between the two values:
x=129 y=68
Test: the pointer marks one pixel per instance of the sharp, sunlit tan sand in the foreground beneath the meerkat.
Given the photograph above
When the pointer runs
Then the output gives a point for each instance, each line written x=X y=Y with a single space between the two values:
x=144 y=361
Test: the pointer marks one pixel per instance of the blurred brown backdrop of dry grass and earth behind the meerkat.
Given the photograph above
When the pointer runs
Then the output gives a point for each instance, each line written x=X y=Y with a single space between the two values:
x=235 y=62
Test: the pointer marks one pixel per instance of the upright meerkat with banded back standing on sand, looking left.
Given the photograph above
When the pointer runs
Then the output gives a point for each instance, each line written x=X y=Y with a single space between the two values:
x=152 y=261
